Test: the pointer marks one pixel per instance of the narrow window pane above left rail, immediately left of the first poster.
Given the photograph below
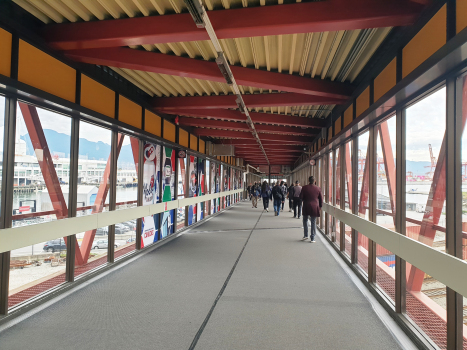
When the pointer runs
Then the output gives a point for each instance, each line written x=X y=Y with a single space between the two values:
x=127 y=175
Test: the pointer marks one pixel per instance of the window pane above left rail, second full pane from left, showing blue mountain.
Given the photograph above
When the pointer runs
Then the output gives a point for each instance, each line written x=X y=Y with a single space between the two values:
x=93 y=176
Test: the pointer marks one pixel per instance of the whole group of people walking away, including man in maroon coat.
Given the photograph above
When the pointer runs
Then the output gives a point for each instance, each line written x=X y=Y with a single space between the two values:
x=305 y=201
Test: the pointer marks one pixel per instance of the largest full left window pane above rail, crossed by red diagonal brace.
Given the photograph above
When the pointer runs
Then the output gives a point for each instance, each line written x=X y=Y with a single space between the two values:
x=43 y=142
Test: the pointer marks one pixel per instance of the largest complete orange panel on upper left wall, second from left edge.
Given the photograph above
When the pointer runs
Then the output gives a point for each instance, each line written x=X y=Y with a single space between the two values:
x=46 y=73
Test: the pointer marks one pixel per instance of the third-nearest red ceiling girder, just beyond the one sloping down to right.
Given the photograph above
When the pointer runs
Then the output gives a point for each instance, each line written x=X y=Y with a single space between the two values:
x=228 y=101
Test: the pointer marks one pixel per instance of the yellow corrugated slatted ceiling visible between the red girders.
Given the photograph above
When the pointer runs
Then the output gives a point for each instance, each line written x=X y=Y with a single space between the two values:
x=316 y=55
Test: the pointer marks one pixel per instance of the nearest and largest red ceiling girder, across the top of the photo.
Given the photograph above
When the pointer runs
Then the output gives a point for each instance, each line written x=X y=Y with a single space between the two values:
x=331 y=15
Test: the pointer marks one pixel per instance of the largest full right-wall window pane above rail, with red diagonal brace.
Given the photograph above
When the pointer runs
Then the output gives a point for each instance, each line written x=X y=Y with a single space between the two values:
x=425 y=178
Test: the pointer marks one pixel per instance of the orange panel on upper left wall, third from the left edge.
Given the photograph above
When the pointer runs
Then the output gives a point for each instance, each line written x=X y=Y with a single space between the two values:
x=97 y=97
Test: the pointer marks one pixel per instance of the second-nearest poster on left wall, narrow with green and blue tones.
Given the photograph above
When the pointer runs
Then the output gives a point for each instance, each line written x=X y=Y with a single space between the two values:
x=168 y=190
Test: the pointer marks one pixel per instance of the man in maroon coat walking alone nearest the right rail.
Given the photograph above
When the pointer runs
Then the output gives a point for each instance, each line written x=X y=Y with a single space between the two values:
x=312 y=202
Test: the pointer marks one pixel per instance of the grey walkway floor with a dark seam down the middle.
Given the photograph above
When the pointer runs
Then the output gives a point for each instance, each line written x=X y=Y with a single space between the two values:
x=281 y=293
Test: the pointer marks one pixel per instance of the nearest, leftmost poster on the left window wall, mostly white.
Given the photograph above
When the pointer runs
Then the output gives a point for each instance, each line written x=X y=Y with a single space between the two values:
x=151 y=183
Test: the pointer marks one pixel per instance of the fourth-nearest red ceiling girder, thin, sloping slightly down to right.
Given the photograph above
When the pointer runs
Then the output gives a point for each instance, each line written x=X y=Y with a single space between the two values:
x=256 y=117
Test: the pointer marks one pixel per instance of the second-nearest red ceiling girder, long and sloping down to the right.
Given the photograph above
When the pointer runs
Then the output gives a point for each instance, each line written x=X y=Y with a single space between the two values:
x=198 y=69
